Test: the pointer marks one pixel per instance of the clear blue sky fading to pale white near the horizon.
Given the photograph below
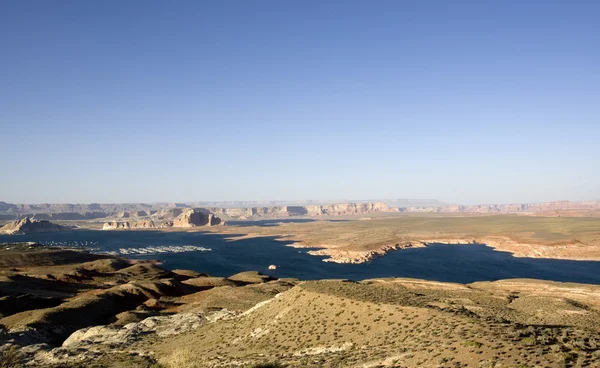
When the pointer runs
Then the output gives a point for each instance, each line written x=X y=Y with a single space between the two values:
x=463 y=101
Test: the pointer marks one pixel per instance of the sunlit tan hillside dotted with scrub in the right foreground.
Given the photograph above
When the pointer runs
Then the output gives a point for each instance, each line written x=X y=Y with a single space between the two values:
x=379 y=322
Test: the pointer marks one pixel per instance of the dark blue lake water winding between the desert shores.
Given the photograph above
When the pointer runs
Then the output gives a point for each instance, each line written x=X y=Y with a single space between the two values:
x=455 y=263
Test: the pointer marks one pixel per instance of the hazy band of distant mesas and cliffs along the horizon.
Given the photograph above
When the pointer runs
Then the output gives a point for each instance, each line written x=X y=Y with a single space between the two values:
x=258 y=209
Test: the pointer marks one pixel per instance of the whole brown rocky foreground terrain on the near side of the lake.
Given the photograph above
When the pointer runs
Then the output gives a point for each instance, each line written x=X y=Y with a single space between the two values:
x=110 y=312
